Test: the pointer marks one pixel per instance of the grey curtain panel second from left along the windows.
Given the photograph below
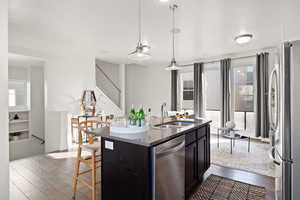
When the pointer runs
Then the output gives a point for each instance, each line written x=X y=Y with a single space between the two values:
x=198 y=90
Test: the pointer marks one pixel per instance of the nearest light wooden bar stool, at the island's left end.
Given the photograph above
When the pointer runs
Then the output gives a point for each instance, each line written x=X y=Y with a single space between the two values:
x=93 y=161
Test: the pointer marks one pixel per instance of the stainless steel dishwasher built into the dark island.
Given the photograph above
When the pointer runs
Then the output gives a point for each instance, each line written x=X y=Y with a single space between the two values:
x=169 y=170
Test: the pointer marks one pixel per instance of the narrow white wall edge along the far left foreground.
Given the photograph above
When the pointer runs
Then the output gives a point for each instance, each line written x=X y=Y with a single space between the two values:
x=4 y=170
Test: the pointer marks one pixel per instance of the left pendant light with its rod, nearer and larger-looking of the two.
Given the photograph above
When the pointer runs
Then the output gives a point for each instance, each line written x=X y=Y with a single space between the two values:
x=141 y=51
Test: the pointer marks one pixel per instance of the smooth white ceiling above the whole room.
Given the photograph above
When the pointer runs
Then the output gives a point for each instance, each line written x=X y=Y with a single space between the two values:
x=108 y=28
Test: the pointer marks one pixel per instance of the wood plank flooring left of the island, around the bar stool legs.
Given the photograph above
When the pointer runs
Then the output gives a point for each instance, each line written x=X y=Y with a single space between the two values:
x=45 y=177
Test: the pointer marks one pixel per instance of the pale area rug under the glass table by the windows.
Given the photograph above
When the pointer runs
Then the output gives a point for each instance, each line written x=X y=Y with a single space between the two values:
x=257 y=160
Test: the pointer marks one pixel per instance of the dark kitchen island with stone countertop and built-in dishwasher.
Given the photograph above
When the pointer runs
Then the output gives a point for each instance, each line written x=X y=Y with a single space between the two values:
x=165 y=162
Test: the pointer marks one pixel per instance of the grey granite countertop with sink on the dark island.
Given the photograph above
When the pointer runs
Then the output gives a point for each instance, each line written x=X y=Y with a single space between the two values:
x=154 y=135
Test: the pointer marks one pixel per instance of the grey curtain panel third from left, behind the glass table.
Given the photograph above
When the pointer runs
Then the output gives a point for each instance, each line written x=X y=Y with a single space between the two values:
x=225 y=91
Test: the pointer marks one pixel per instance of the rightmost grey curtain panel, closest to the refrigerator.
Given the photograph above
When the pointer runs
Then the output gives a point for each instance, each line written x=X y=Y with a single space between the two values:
x=261 y=95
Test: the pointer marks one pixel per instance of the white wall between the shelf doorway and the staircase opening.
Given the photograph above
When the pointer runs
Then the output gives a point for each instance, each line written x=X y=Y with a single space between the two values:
x=66 y=76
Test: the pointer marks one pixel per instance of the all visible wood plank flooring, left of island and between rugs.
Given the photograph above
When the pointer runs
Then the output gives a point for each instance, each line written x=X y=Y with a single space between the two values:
x=49 y=177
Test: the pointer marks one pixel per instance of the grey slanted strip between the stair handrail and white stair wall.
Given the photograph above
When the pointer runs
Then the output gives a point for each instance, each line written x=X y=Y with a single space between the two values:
x=107 y=85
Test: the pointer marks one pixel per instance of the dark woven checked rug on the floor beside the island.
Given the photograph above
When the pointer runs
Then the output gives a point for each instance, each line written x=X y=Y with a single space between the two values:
x=219 y=188
